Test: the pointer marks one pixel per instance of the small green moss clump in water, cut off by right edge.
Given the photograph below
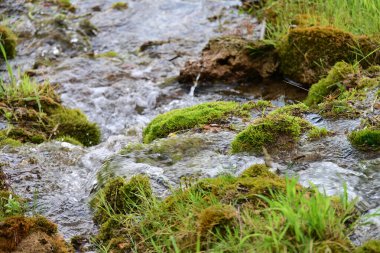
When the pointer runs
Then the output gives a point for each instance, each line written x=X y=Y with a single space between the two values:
x=365 y=139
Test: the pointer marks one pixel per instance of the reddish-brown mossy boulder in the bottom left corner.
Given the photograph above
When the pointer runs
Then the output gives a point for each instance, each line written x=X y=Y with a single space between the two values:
x=35 y=234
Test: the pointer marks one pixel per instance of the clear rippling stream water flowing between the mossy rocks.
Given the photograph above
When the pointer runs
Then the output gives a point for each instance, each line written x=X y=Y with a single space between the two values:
x=153 y=40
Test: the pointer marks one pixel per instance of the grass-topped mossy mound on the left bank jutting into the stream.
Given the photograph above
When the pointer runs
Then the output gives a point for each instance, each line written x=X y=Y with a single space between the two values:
x=34 y=113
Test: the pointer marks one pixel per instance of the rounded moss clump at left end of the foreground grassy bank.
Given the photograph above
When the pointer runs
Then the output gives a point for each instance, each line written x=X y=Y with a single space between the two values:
x=120 y=196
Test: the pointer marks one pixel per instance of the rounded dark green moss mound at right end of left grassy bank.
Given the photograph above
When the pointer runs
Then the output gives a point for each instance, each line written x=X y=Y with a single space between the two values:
x=73 y=123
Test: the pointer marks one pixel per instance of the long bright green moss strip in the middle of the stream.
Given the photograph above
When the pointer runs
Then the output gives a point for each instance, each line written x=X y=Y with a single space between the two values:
x=187 y=118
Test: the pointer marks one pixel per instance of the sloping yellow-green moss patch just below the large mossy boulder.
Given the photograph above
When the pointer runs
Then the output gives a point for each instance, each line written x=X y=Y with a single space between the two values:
x=329 y=84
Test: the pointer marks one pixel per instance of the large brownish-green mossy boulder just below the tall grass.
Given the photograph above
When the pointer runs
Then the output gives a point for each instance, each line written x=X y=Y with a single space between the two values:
x=306 y=54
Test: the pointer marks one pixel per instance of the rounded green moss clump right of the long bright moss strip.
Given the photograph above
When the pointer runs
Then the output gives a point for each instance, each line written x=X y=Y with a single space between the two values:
x=278 y=131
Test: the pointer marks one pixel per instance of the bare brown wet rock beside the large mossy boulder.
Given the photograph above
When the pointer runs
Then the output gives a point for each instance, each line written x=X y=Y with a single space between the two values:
x=232 y=60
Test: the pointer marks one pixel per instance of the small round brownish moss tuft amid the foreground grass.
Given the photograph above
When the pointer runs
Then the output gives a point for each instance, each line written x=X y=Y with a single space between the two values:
x=215 y=219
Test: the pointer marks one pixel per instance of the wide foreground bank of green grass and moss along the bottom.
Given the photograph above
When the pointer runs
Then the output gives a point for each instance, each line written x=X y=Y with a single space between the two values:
x=256 y=212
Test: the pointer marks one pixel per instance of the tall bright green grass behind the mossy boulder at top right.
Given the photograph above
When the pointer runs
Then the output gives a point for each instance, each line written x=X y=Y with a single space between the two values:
x=357 y=17
